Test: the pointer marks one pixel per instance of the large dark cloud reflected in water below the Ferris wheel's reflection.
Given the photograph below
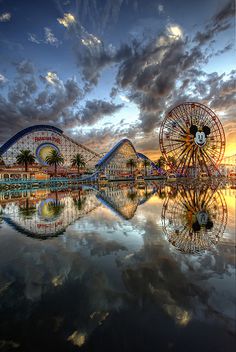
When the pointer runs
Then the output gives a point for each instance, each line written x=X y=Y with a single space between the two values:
x=186 y=287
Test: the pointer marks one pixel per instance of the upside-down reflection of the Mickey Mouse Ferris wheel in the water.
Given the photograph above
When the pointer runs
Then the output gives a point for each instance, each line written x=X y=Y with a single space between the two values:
x=195 y=220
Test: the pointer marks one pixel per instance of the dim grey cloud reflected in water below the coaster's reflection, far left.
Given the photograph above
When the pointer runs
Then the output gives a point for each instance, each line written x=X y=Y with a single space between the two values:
x=31 y=264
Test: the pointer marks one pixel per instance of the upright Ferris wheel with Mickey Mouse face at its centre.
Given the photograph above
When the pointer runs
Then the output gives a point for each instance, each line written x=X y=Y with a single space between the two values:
x=193 y=136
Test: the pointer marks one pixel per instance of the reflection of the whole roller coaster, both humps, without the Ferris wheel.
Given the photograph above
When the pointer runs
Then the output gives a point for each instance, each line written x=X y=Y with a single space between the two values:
x=44 y=214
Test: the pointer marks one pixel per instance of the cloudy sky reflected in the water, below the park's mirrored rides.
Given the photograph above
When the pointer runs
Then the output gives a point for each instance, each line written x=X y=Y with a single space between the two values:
x=102 y=266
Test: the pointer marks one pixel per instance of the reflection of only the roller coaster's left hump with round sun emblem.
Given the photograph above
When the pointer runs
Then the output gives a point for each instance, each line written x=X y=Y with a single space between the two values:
x=51 y=216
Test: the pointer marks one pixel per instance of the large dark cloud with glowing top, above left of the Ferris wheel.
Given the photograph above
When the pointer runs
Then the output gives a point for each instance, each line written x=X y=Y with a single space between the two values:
x=151 y=73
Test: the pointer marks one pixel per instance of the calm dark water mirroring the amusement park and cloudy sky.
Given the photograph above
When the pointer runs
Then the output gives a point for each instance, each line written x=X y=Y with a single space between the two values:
x=121 y=268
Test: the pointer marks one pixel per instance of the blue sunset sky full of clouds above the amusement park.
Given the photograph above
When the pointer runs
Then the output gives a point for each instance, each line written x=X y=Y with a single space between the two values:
x=103 y=70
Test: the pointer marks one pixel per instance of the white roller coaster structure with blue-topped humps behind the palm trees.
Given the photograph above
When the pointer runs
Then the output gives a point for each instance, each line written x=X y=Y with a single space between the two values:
x=41 y=139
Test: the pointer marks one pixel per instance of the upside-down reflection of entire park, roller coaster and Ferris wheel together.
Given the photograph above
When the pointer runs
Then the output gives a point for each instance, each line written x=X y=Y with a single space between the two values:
x=194 y=216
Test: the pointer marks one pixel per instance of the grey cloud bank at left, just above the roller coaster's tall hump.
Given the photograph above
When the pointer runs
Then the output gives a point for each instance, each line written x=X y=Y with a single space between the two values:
x=26 y=104
